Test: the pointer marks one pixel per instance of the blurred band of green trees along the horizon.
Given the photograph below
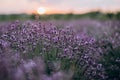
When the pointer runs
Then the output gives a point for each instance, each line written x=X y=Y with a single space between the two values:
x=93 y=15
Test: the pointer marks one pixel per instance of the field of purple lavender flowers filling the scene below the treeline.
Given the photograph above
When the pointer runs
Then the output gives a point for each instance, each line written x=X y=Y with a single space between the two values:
x=81 y=49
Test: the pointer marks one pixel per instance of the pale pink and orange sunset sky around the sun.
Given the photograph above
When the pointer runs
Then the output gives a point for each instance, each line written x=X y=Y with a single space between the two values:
x=58 y=6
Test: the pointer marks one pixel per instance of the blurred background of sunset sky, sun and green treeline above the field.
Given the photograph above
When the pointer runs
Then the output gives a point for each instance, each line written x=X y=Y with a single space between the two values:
x=59 y=9
